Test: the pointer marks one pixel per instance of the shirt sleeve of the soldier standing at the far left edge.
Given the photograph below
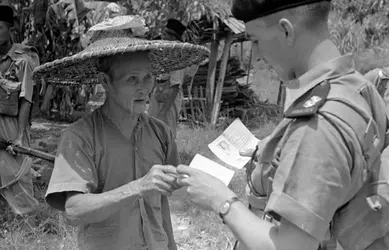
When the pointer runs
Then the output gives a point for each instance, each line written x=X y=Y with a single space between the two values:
x=25 y=72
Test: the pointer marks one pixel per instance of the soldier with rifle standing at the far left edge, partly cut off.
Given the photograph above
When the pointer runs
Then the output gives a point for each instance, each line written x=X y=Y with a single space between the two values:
x=17 y=62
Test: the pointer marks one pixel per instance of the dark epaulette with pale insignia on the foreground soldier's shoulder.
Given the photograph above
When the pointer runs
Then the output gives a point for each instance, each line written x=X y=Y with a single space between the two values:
x=310 y=102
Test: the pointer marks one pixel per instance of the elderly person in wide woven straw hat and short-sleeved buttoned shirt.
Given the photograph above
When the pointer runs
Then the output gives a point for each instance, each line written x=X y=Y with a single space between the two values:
x=115 y=168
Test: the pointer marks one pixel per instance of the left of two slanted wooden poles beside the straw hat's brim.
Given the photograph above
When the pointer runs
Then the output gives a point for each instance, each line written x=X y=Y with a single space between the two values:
x=212 y=65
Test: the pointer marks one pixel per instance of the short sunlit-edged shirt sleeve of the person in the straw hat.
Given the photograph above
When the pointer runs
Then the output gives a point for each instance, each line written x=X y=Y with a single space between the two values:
x=74 y=170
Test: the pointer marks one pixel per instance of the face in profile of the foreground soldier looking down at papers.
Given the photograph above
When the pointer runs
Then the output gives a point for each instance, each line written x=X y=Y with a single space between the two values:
x=270 y=42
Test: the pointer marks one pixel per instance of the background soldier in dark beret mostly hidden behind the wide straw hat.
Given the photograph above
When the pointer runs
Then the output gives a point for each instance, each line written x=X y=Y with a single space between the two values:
x=166 y=100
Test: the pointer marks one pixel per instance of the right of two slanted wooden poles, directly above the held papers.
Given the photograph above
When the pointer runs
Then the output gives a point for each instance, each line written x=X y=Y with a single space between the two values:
x=220 y=82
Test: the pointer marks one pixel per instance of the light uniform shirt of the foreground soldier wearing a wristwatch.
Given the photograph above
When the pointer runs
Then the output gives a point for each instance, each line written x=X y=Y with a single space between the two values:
x=312 y=170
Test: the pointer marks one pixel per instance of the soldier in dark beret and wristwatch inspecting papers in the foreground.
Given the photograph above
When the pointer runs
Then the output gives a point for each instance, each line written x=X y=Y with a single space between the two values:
x=317 y=174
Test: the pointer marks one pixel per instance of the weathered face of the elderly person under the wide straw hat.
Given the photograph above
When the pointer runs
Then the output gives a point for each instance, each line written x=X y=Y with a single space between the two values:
x=131 y=81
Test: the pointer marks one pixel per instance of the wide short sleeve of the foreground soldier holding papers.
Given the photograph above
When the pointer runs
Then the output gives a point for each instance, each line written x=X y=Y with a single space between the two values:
x=313 y=177
